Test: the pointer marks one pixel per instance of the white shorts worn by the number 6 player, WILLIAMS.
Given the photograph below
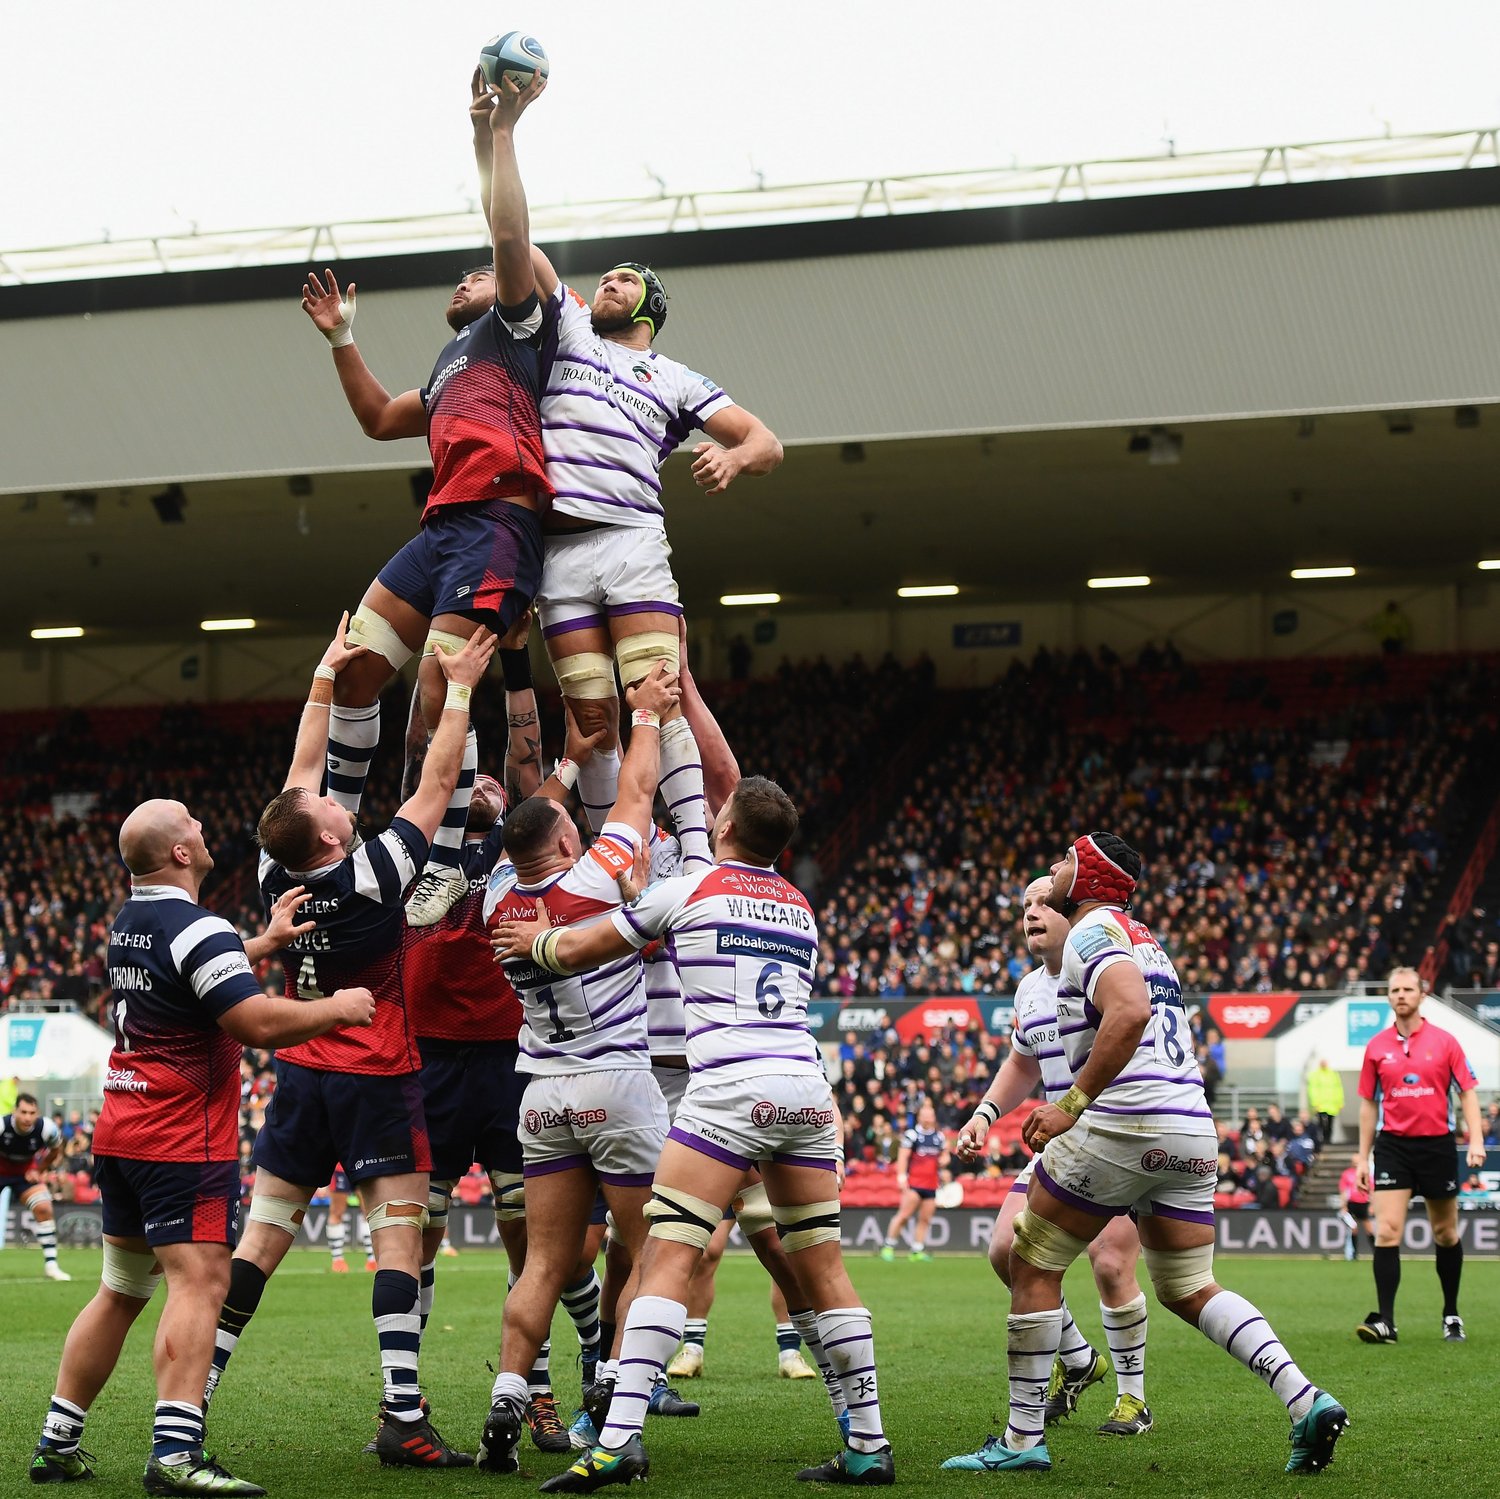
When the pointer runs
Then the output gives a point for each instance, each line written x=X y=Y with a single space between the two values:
x=787 y=1119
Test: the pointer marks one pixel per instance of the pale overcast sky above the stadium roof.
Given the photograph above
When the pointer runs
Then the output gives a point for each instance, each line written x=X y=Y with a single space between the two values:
x=152 y=116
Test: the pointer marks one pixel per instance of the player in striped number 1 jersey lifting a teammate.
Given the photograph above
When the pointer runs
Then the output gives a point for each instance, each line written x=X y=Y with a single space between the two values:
x=593 y=1116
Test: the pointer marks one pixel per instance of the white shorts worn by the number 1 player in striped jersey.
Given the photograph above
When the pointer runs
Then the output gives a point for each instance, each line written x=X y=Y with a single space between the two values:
x=613 y=1120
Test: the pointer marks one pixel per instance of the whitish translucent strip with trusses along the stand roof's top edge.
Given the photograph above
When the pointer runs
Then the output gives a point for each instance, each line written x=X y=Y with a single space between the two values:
x=794 y=203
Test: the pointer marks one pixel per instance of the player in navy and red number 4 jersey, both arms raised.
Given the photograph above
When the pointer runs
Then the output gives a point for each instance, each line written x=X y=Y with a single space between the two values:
x=353 y=1098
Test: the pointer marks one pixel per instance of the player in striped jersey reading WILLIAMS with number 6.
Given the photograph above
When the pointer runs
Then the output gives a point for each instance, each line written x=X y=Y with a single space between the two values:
x=746 y=946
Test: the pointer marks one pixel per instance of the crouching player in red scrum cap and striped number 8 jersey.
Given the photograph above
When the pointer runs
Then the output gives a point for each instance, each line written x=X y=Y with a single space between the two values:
x=1130 y=1135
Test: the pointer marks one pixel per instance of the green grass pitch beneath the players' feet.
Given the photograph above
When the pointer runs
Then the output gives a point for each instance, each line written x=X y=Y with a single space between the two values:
x=302 y=1392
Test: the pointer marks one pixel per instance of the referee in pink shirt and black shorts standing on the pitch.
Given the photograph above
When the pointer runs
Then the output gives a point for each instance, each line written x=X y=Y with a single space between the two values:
x=1405 y=1092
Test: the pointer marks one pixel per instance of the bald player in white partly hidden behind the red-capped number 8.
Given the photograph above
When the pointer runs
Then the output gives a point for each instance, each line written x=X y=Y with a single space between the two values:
x=1039 y=1056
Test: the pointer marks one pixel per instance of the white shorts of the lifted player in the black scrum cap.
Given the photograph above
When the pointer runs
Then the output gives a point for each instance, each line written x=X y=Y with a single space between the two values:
x=614 y=571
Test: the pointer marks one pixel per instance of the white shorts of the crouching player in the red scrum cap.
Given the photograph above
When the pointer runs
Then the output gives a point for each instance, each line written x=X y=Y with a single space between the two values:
x=1108 y=1170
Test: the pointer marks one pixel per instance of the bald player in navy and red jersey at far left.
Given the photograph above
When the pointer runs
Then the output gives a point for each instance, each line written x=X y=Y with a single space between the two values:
x=167 y=1141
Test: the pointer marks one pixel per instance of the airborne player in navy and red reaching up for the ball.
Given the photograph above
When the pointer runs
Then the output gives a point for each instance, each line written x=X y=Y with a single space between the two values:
x=478 y=557
